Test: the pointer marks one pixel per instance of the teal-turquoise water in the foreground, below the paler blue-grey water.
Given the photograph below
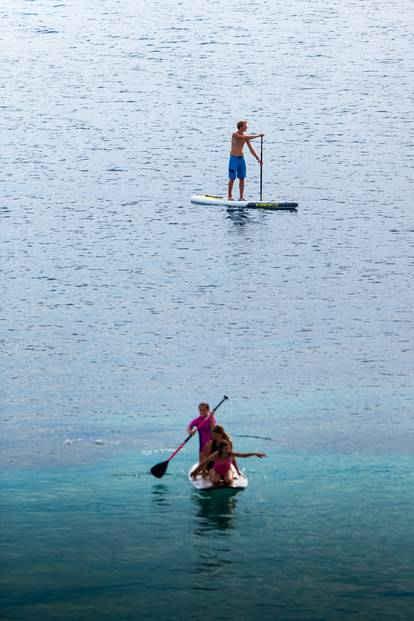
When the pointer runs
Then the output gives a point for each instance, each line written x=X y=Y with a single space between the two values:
x=313 y=537
